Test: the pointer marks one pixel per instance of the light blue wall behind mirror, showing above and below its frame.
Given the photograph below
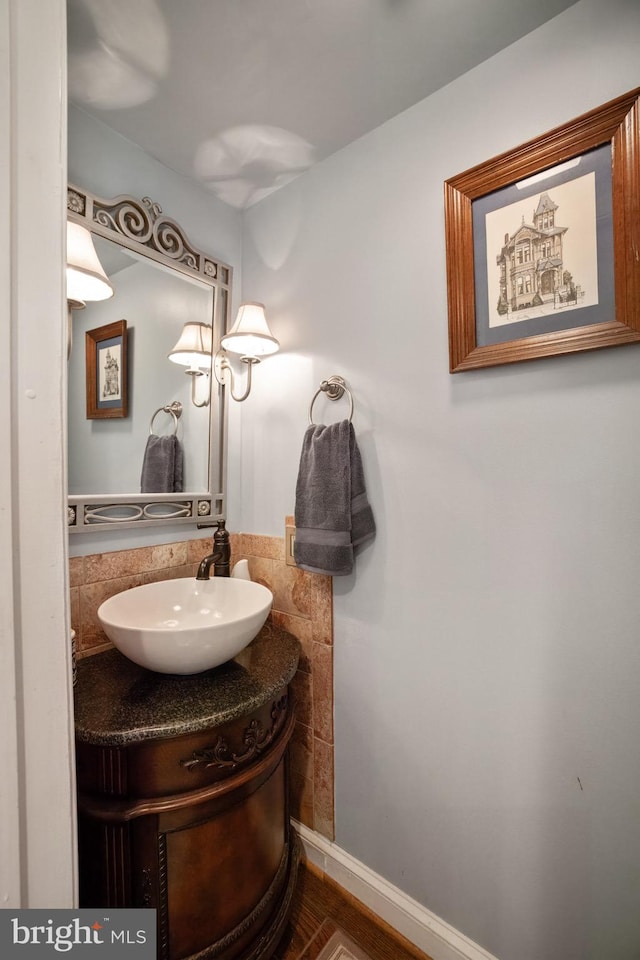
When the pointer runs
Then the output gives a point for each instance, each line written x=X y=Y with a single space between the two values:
x=107 y=164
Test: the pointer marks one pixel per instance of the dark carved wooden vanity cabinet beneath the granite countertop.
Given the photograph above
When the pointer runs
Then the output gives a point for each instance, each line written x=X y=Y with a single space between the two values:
x=197 y=826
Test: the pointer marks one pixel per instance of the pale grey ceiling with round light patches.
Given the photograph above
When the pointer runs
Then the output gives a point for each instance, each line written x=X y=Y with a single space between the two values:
x=243 y=95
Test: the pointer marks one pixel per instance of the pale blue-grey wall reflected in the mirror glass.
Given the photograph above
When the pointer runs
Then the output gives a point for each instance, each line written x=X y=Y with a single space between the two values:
x=105 y=456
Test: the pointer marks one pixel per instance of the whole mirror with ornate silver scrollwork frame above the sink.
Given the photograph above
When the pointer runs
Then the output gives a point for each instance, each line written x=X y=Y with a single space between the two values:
x=161 y=282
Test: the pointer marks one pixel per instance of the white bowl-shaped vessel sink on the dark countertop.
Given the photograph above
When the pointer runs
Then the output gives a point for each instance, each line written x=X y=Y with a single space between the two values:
x=185 y=626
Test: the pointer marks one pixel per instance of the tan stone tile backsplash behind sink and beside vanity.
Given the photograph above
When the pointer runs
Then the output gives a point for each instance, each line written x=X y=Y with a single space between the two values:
x=303 y=605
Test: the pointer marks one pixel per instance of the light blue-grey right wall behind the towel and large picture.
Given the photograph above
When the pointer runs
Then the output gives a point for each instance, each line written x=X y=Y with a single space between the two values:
x=487 y=662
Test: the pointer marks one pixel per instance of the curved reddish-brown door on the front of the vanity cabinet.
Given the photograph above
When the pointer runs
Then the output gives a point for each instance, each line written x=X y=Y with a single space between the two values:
x=226 y=862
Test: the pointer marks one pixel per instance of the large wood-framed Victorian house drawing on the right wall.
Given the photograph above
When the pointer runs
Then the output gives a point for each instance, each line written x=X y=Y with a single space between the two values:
x=543 y=243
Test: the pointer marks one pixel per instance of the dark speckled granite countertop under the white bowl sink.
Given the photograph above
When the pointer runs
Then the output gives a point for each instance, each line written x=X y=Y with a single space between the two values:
x=117 y=702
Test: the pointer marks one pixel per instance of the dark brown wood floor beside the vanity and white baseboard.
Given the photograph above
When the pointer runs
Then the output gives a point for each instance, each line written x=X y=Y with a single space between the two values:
x=319 y=898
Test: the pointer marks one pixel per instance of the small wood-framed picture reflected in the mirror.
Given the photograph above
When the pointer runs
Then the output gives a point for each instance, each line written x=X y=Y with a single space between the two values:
x=106 y=371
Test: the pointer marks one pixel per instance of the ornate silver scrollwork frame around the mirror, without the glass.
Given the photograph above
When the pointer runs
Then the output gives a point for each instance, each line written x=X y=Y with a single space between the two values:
x=140 y=226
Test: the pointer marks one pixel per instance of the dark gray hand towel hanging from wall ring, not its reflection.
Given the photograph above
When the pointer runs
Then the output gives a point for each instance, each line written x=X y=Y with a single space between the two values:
x=332 y=512
